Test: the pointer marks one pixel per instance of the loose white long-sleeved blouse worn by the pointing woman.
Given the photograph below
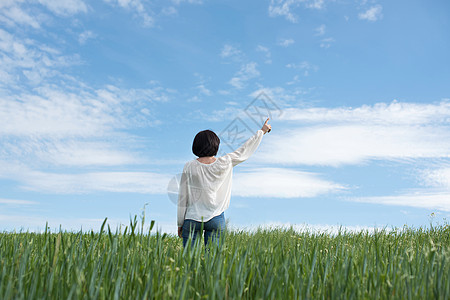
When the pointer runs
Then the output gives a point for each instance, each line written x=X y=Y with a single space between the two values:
x=205 y=189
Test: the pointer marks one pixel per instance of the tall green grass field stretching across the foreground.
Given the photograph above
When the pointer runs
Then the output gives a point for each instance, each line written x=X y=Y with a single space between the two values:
x=266 y=264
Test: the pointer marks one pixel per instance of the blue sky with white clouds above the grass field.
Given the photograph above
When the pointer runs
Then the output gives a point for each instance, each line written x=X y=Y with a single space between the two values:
x=100 y=102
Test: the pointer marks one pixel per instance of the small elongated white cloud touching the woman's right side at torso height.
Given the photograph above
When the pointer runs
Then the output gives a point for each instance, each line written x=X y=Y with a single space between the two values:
x=281 y=183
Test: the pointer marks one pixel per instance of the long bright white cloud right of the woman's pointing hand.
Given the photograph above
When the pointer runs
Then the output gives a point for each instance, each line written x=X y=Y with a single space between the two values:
x=355 y=144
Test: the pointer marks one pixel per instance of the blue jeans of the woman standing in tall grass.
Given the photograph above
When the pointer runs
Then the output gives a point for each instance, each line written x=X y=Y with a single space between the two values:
x=214 y=228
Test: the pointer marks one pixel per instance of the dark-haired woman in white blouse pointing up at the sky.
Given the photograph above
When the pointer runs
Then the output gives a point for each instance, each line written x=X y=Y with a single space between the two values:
x=205 y=187
